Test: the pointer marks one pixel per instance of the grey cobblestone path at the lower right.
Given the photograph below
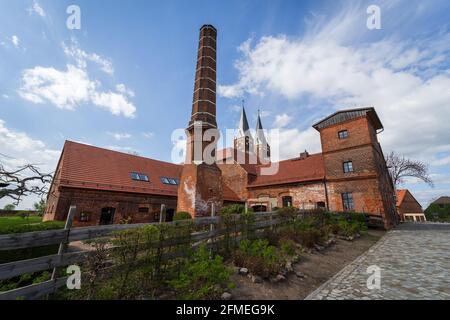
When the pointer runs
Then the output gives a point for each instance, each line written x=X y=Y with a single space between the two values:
x=415 y=264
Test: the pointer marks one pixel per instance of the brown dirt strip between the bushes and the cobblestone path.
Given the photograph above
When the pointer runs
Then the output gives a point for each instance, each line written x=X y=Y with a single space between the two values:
x=318 y=268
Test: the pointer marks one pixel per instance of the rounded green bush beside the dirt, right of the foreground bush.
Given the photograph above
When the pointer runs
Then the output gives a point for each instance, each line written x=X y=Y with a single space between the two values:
x=259 y=257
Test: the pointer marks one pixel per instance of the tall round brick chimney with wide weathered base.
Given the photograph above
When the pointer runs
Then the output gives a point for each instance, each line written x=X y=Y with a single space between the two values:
x=201 y=180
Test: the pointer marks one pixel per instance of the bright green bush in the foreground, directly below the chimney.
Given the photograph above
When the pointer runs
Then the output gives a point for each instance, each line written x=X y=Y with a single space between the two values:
x=201 y=277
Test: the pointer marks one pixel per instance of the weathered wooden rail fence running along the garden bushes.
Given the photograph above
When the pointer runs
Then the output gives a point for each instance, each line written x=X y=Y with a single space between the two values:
x=67 y=235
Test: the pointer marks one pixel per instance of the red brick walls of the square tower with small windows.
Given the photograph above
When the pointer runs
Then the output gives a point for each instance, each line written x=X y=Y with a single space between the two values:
x=369 y=183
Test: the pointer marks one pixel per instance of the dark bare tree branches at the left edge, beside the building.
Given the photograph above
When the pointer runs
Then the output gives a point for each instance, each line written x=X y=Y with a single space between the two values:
x=23 y=181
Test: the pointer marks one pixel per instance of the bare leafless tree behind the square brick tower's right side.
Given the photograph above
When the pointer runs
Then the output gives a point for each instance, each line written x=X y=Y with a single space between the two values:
x=401 y=168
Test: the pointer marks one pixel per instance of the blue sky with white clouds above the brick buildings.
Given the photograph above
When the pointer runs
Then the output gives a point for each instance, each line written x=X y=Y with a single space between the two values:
x=124 y=81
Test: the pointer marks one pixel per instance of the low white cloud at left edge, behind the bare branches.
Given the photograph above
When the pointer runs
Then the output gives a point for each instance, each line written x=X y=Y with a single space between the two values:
x=18 y=148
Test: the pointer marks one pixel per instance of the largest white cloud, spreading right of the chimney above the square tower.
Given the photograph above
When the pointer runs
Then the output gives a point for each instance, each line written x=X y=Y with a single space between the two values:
x=404 y=80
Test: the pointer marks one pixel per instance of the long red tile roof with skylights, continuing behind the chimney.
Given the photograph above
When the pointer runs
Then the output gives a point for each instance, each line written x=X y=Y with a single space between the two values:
x=89 y=167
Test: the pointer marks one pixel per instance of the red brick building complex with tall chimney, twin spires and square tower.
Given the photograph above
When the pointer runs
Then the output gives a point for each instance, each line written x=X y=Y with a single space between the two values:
x=349 y=175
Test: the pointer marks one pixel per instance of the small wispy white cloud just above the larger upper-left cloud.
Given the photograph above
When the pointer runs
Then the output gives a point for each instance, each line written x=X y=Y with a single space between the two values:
x=82 y=57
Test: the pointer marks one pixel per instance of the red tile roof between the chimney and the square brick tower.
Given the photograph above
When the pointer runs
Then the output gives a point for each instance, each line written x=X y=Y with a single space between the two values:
x=292 y=171
